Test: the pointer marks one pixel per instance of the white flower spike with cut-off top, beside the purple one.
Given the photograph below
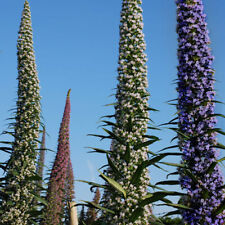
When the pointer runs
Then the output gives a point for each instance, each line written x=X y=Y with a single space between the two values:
x=131 y=115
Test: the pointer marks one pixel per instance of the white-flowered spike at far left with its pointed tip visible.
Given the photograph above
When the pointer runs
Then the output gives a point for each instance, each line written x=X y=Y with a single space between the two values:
x=21 y=165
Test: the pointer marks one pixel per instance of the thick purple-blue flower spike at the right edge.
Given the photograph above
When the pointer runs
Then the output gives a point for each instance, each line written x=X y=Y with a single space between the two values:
x=196 y=103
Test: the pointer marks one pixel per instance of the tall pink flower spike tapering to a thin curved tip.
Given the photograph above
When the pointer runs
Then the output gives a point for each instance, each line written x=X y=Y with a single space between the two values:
x=57 y=182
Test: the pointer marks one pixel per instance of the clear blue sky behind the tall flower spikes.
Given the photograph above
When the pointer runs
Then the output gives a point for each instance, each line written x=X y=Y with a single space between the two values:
x=76 y=46
